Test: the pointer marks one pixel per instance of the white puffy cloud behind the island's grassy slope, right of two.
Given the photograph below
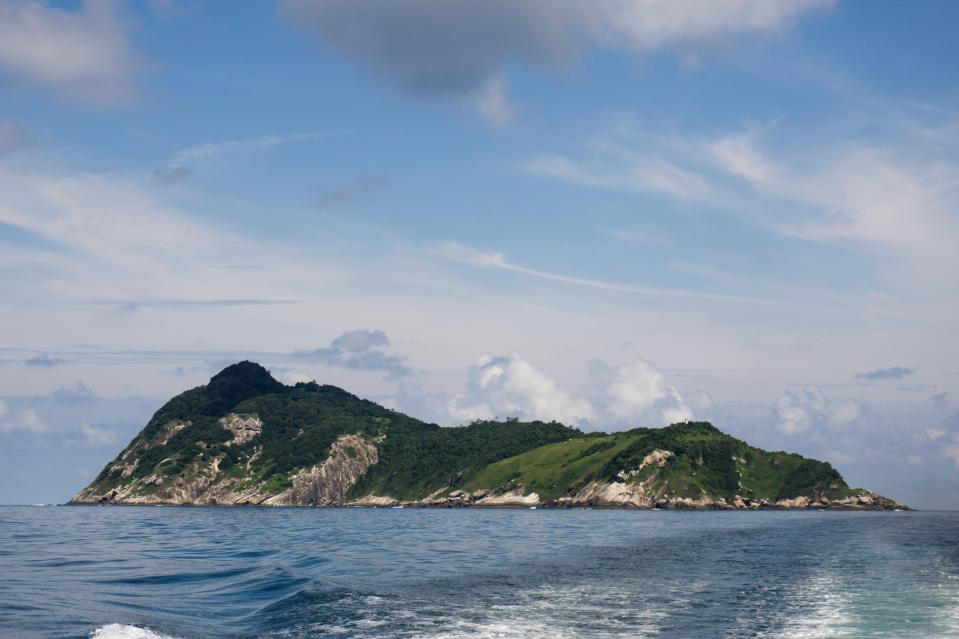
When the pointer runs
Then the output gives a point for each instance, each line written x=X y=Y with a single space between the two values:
x=637 y=393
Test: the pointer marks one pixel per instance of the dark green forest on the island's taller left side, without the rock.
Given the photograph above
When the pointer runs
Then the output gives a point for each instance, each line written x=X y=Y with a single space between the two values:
x=301 y=422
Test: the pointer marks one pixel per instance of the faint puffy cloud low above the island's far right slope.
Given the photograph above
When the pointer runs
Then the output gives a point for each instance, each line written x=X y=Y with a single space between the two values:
x=809 y=409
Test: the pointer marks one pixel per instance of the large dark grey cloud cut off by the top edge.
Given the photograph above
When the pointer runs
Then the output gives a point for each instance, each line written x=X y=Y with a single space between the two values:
x=442 y=48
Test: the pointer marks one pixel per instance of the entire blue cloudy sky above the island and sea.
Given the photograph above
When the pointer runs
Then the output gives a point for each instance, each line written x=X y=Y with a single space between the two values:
x=611 y=213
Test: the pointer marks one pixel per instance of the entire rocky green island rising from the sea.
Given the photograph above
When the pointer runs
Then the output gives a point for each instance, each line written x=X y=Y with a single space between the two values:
x=247 y=439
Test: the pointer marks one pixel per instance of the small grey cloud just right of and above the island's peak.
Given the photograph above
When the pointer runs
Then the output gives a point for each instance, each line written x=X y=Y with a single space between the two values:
x=360 y=350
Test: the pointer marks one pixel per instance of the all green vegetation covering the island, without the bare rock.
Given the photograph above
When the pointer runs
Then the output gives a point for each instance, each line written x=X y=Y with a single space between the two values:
x=416 y=459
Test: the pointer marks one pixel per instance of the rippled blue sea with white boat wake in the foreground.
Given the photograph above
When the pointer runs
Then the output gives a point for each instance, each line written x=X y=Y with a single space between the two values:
x=149 y=573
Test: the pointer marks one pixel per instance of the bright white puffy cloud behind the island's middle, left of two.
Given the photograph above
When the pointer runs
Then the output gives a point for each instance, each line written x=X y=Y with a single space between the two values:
x=510 y=386
